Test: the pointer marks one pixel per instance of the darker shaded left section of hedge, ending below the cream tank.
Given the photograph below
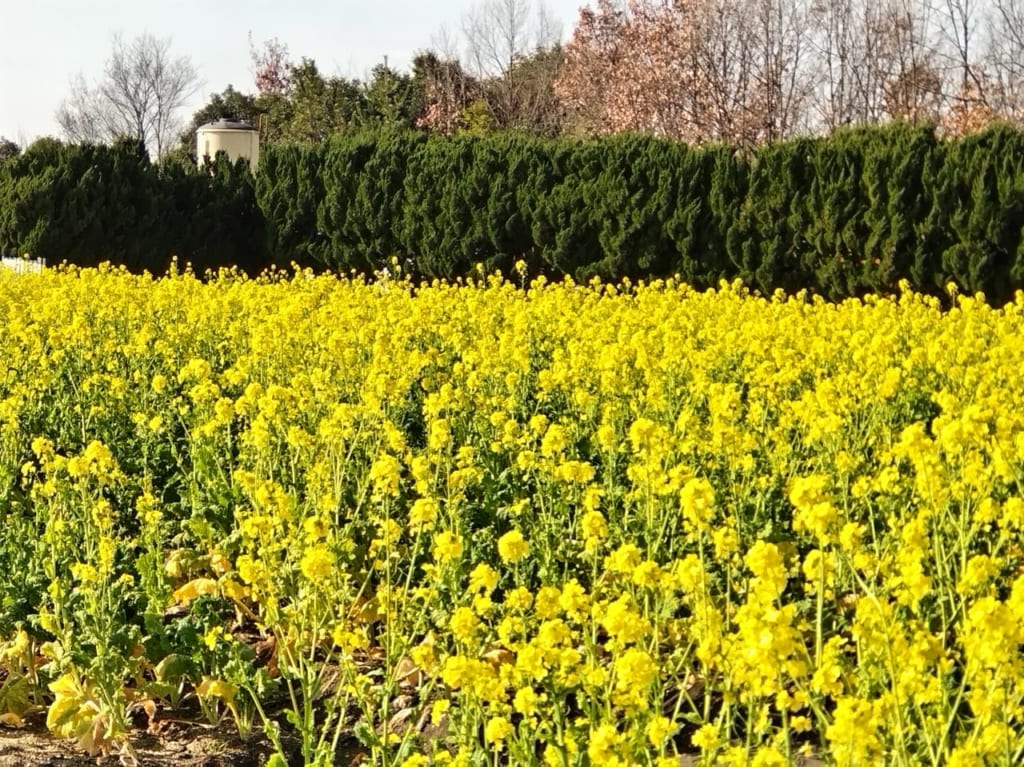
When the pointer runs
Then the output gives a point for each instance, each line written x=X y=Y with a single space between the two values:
x=90 y=204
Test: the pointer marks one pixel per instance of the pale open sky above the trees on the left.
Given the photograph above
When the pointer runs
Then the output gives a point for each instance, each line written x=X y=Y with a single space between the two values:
x=44 y=44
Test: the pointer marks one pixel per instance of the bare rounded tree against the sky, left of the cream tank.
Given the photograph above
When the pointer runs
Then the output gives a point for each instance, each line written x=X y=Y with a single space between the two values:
x=141 y=96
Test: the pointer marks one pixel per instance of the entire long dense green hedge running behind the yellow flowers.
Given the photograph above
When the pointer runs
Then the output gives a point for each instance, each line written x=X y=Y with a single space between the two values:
x=852 y=214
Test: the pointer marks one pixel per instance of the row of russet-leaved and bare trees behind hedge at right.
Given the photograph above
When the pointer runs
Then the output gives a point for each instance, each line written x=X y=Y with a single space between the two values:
x=754 y=72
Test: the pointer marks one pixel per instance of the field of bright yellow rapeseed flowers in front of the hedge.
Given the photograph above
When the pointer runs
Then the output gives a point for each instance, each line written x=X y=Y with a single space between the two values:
x=495 y=524
